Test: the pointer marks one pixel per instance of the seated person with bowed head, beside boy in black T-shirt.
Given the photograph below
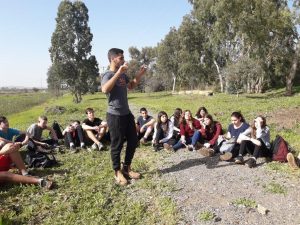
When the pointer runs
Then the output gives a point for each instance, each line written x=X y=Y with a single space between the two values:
x=74 y=136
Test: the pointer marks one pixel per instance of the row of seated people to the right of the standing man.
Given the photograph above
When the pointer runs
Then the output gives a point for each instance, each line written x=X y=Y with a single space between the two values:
x=205 y=134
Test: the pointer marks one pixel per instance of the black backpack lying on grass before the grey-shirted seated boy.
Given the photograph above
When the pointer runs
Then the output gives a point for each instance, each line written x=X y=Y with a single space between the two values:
x=40 y=159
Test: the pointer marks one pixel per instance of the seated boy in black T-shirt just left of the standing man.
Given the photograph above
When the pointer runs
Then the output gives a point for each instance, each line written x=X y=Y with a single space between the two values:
x=95 y=129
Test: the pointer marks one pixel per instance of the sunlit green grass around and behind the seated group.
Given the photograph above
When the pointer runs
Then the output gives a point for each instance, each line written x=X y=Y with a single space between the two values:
x=85 y=192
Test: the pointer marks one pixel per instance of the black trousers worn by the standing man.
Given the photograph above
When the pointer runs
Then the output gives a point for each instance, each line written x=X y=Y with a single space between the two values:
x=122 y=127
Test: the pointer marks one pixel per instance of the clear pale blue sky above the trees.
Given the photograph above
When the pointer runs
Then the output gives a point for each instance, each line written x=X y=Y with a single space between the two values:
x=26 y=27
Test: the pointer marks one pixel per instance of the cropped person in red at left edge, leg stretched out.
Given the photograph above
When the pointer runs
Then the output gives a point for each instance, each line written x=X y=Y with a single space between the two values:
x=9 y=154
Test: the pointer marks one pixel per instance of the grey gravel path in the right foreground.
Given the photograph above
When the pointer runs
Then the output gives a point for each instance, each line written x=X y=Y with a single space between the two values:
x=207 y=184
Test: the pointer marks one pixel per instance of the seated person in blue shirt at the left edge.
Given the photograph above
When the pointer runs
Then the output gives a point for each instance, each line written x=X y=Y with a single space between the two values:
x=7 y=134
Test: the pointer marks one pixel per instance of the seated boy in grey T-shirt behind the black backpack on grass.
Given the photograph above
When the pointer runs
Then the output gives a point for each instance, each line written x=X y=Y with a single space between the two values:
x=35 y=131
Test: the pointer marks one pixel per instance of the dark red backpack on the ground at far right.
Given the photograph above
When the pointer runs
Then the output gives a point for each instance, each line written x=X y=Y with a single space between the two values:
x=280 y=149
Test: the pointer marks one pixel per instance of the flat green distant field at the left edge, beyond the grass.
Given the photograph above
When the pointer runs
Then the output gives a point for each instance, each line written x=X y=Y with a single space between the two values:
x=14 y=103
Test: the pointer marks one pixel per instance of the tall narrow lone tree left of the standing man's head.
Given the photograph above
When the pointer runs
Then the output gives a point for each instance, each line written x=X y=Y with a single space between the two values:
x=70 y=49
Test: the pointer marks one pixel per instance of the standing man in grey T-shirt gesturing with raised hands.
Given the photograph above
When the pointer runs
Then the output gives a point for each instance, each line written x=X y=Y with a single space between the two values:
x=114 y=84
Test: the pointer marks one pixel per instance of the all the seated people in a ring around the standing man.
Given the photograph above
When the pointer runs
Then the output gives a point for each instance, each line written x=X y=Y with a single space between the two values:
x=181 y=130
